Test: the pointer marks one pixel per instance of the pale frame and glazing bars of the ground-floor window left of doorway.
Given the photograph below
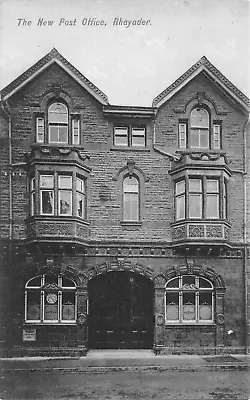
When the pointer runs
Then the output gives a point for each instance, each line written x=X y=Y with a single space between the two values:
x=43 y=291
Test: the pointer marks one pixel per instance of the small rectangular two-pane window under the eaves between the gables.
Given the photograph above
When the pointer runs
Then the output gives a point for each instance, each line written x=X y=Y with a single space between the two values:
x=130 y=136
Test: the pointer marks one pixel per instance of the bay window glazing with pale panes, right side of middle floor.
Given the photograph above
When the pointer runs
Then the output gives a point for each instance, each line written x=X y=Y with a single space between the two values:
x=200 y=198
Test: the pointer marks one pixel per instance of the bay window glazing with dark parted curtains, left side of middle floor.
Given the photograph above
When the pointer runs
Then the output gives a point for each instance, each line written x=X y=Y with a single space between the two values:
x=58 y=194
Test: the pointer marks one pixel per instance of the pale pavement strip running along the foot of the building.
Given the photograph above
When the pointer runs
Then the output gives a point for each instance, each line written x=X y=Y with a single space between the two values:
x=101 y=361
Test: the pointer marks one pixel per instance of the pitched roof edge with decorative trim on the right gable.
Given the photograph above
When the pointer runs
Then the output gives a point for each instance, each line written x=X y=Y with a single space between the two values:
x=203 y=65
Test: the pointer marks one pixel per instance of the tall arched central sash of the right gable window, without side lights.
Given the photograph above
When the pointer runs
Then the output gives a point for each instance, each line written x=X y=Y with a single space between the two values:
x=199 y=121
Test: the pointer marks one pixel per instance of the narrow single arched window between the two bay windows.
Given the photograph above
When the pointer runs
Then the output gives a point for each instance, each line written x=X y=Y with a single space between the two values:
x=130 y=199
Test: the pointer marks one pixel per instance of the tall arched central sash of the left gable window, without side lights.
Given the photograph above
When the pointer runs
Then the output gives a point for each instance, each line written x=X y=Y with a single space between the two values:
x=58 y=123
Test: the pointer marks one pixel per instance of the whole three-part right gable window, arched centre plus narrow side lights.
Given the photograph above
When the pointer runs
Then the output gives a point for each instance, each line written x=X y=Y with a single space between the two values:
x=199 y=132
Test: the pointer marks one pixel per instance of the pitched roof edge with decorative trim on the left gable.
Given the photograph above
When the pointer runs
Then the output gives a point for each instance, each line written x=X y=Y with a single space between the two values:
x=53 y=57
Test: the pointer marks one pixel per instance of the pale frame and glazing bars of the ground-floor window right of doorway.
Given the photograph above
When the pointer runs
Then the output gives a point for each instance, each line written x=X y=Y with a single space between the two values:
x=195 y=289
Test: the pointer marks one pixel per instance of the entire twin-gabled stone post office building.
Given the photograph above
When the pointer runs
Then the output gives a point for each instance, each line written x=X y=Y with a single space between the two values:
x=123 y=226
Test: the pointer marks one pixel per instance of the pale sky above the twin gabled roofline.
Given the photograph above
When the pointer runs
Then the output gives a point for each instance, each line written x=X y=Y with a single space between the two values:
x=130 y=64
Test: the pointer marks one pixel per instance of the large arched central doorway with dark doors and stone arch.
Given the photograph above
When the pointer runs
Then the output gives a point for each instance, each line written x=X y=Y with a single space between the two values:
x=119 y=308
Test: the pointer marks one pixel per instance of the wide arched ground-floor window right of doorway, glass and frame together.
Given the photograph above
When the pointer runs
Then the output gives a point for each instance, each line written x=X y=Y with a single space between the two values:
x=189 y=299
